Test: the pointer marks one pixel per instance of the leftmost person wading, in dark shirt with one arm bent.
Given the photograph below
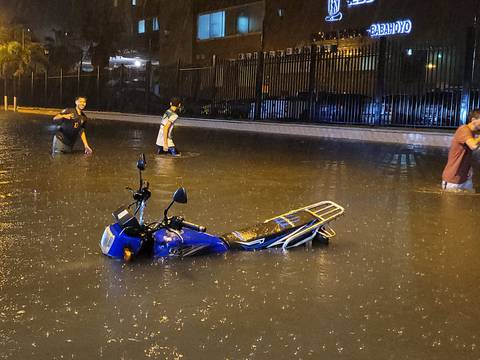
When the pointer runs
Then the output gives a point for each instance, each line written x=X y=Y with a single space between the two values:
x=71 y=125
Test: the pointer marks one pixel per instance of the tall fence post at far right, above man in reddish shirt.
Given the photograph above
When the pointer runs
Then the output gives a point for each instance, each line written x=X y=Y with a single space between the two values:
x=468 y=74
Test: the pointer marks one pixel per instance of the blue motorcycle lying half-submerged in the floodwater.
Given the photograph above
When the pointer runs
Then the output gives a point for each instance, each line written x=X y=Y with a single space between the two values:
x=130 y=236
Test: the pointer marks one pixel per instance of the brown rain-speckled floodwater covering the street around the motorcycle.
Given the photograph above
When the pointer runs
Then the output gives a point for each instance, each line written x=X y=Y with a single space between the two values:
x=399 y=281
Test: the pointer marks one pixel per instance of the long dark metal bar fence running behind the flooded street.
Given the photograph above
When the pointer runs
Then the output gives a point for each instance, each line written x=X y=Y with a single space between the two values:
x=384 y=83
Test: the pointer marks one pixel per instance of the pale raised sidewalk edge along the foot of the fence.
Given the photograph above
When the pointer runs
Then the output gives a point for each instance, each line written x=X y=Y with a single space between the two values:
x=439 y=138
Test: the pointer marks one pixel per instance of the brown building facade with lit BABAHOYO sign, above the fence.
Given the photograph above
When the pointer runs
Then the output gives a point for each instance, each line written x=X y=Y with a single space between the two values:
x=195 y=31
